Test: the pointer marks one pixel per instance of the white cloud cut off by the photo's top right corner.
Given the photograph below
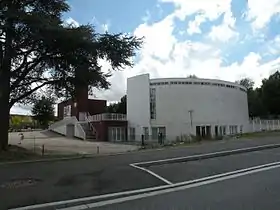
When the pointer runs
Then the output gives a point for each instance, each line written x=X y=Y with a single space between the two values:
x=260 y=12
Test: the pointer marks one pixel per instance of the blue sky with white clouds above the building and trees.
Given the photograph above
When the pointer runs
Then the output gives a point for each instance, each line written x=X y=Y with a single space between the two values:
x=219 y=39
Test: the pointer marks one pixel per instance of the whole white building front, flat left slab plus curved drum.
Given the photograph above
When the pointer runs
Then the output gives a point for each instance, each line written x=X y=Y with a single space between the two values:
x=185 y=106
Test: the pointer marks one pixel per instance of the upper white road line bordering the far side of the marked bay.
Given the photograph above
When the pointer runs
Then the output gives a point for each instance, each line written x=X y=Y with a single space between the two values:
x=206 y=154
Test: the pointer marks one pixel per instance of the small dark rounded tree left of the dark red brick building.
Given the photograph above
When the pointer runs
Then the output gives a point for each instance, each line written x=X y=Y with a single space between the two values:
x=43 y=111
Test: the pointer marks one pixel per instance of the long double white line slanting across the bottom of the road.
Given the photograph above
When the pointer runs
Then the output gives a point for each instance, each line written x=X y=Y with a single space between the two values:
x=179 y=188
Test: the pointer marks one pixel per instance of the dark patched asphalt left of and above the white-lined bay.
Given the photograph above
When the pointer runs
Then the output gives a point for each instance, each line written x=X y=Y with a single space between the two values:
x=63 y=180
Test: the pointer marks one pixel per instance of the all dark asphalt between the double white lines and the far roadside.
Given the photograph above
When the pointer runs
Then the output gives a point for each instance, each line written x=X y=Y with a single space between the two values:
x=64 y=180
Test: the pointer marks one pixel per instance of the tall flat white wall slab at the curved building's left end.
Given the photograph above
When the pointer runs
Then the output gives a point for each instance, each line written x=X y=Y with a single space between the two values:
x=138 y=103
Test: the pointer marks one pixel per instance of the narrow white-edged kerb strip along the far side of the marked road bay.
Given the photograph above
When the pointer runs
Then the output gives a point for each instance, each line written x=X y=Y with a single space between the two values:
x=206 y=156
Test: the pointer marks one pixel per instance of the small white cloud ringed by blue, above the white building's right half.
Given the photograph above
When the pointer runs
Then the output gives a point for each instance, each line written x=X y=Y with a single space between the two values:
x=225 y=31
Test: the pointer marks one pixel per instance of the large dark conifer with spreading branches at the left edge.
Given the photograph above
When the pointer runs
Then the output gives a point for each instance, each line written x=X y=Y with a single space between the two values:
x=38 y=50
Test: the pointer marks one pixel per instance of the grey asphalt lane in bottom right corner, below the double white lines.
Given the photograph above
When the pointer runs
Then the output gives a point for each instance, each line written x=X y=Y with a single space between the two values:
x=257 y=191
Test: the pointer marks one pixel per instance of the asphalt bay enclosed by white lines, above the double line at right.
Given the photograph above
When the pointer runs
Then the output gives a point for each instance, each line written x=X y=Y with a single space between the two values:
x=179 y=172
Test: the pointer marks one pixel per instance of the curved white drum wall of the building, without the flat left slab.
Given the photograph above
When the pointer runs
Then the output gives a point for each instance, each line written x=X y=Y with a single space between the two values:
x=211 y=105
